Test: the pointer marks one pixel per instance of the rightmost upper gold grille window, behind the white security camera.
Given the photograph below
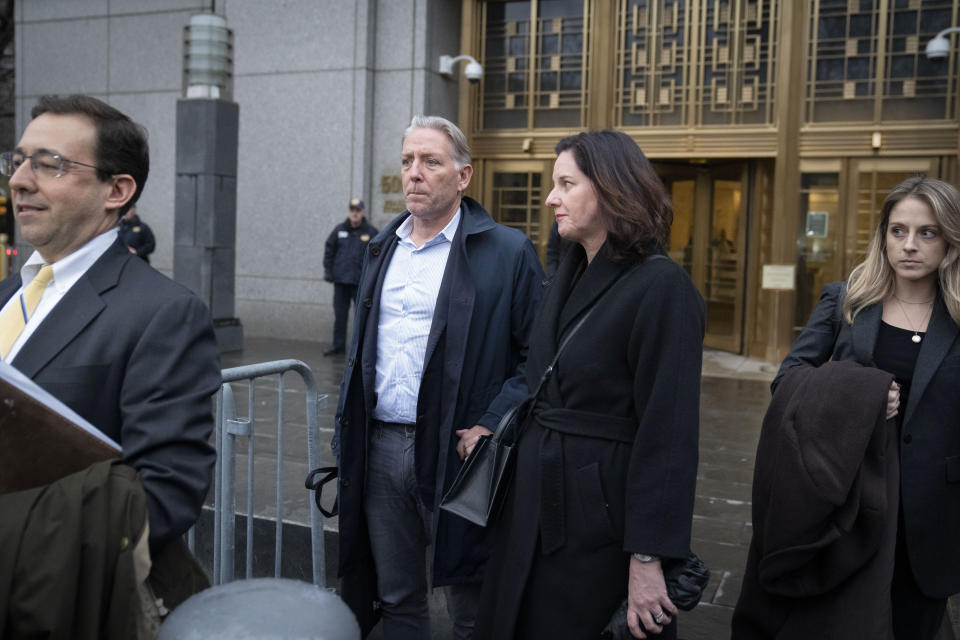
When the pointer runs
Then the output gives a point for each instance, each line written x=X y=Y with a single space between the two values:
x=867 y=61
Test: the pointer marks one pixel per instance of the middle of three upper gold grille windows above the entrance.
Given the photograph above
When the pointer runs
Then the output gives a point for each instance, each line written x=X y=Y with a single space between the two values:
x=696 y=62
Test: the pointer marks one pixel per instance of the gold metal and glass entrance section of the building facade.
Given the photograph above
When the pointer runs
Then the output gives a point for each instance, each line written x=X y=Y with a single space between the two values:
x=778 y=126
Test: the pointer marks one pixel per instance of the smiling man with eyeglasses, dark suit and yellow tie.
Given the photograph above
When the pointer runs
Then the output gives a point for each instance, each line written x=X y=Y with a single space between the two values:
x=125 y=347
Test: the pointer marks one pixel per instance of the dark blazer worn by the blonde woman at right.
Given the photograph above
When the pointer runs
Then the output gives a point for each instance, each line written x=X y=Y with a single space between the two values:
x=930 y=432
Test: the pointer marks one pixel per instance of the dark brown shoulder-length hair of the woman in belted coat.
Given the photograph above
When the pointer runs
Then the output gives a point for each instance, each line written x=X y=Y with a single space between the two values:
x=632 y=202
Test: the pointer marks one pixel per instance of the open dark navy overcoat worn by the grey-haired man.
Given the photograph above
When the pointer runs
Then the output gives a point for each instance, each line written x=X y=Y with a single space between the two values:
x=478 y=339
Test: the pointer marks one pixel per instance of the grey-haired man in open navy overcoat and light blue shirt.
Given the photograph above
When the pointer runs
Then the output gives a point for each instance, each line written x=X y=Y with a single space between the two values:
x=445 y=305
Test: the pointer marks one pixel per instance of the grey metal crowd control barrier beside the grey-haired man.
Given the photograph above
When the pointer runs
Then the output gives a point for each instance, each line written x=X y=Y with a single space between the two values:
x=229 y=428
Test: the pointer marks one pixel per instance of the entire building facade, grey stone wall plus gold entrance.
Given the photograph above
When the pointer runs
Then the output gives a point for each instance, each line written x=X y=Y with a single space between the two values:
x=778 y=126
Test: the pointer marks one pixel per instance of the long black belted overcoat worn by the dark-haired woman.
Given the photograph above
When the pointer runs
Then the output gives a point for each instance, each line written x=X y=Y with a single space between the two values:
x=637 y=359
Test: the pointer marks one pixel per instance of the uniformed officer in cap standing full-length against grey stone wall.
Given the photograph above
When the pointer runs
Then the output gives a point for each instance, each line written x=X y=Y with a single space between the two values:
x=342 y=259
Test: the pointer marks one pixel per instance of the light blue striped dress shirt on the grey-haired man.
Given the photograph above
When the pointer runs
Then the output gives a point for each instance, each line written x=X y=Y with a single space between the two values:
x=407 y=302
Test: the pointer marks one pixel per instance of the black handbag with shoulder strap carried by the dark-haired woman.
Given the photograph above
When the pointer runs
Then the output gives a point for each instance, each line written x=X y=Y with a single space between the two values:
x=477 y=491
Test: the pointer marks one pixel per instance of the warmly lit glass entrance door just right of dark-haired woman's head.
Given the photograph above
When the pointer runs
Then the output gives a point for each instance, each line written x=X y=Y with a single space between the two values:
x=708 y=239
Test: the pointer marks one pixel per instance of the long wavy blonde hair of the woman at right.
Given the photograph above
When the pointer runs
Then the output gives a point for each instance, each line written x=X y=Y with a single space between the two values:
x=873 y=279
